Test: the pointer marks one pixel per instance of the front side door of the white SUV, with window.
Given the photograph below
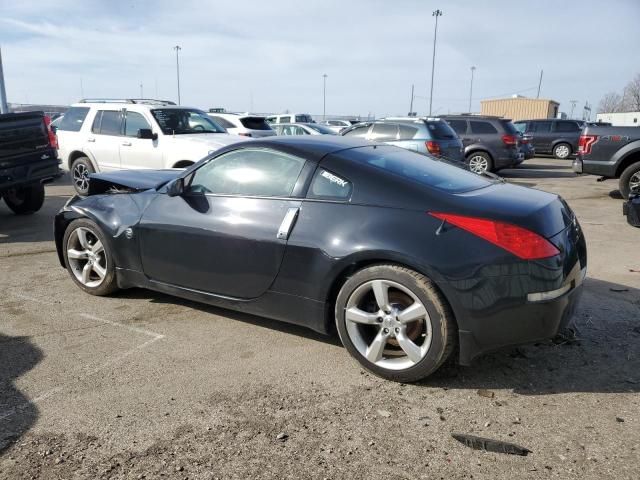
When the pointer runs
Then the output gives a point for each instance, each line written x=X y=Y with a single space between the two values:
x=138 y=153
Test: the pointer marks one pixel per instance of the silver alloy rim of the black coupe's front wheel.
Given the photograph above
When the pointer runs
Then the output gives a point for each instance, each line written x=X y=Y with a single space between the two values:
x=87 y=257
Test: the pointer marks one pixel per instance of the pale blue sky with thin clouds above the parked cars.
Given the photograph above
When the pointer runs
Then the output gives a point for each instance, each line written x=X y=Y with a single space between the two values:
x=271 y=55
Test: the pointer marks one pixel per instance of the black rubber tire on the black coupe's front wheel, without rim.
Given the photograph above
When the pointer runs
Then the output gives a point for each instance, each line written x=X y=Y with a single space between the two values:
x=108 y=284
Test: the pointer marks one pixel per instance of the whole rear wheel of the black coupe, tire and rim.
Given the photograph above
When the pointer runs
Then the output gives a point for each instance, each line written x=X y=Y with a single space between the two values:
x=395 y=322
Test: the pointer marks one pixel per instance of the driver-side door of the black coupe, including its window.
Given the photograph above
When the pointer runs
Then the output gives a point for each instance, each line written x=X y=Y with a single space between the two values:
x=227 y=233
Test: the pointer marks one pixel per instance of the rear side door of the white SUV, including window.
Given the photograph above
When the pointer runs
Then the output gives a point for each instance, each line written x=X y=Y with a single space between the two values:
x=103 y=142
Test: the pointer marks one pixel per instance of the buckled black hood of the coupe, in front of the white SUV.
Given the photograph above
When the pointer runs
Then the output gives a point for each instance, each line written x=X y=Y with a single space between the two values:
x=129 y=180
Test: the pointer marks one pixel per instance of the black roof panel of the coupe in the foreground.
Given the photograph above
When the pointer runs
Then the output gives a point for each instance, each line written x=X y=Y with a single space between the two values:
x=310 y=147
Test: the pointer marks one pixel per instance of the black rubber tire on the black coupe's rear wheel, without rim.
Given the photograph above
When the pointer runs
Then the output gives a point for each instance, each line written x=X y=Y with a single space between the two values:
x=443 y=326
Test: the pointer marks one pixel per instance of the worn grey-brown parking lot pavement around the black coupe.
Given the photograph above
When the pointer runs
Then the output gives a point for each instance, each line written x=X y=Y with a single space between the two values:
x=142 y=385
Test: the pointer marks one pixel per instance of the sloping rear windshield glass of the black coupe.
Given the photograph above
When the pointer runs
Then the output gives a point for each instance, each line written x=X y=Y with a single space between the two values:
x=418 y=168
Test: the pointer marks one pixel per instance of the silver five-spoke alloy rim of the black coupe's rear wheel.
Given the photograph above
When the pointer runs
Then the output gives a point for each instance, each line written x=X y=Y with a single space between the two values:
x=388 y=324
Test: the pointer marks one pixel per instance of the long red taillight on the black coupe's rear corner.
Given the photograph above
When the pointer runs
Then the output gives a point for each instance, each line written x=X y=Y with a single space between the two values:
x=521 y=242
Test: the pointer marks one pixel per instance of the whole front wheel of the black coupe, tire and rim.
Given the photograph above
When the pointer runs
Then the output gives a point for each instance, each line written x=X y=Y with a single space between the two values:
x=88 y=259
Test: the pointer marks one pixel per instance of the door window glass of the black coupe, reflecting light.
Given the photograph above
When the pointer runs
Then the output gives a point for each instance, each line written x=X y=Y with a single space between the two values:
x=249 y=172
